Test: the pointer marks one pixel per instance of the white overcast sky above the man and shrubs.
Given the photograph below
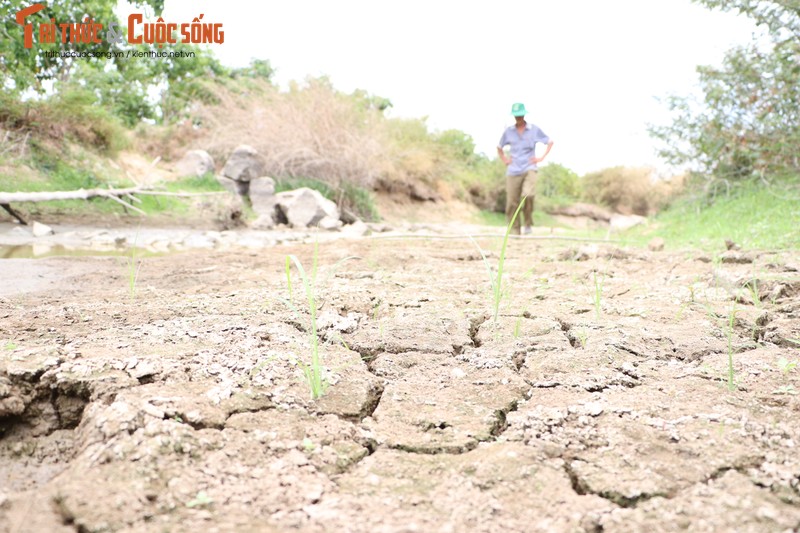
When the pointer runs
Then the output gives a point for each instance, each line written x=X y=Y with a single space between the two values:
x=588 y=71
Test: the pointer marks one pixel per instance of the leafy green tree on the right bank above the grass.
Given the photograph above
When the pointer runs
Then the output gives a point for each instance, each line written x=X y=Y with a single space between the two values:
x=745 y=124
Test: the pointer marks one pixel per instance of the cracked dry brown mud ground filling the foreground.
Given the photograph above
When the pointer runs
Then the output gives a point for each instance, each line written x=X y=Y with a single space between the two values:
x=183 y=410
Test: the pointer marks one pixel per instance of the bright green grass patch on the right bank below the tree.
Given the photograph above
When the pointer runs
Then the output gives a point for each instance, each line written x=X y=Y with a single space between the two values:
x=751 y=215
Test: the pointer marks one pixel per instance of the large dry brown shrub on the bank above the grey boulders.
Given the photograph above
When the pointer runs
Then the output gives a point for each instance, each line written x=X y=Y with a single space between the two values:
x=310 y=131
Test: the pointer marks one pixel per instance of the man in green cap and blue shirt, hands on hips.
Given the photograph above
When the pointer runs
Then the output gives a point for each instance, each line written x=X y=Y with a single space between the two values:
x=521 y=173
